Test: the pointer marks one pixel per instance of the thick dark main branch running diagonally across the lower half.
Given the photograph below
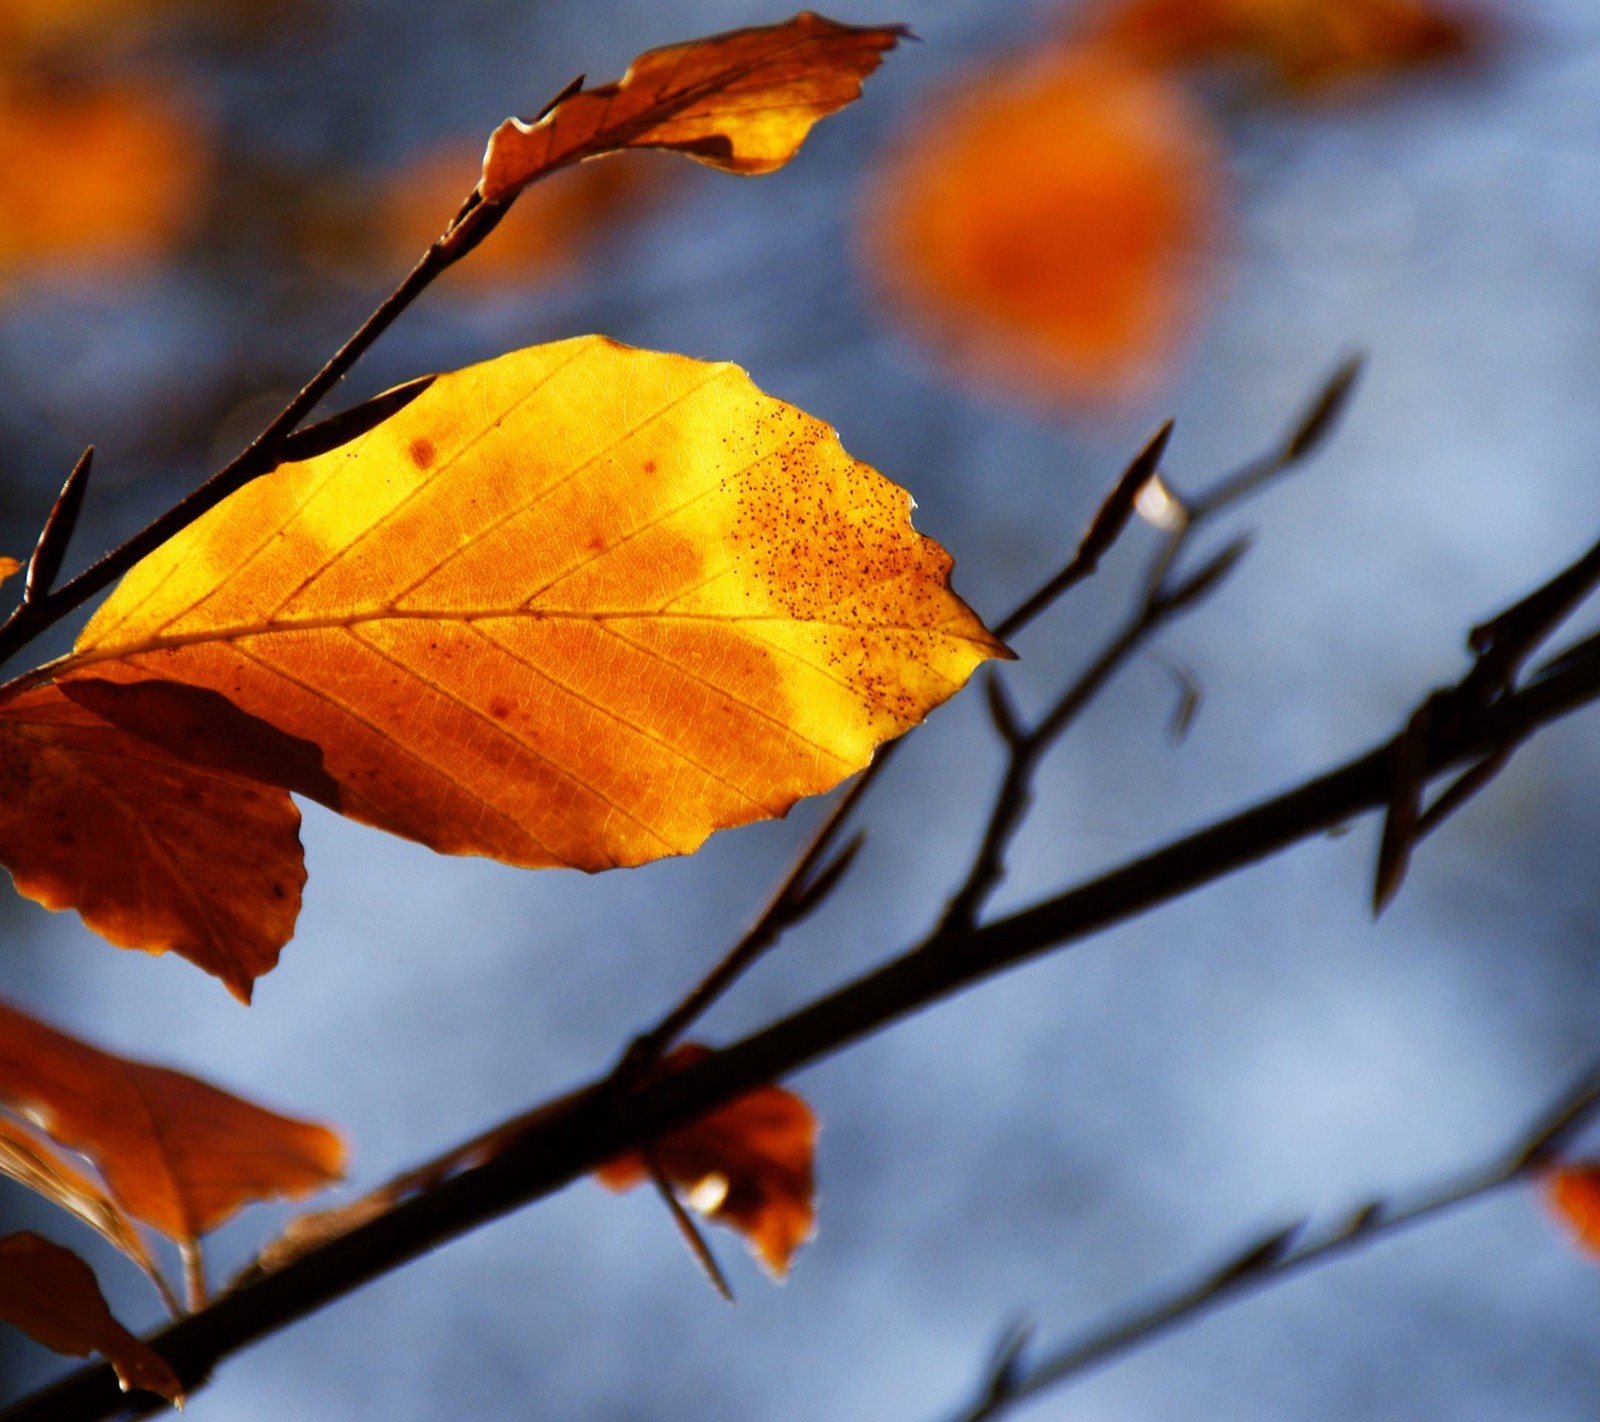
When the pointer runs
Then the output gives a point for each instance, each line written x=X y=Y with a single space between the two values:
x=577 y=1133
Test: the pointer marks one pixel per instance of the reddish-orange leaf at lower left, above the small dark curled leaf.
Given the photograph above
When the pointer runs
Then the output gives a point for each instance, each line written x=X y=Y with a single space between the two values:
x=177 y=1154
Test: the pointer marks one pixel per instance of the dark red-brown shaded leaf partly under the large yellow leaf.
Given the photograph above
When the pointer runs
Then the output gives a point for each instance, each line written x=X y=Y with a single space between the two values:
x=156 y=853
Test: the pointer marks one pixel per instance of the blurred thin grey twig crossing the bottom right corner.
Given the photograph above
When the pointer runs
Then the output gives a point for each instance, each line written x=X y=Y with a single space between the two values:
x=1278 y=1256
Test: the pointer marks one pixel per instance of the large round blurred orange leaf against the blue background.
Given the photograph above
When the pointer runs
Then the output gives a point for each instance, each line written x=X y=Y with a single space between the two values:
x=1052 y=226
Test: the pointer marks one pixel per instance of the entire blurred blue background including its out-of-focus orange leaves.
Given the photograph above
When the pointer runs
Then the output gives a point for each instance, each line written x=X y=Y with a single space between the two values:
x=1044 y=230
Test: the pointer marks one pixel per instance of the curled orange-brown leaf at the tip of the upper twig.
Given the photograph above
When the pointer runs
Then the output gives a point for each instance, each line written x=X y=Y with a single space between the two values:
x=742 y=102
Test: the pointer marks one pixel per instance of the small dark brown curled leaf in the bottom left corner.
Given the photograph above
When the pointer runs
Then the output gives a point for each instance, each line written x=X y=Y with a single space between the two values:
x=52 y=1296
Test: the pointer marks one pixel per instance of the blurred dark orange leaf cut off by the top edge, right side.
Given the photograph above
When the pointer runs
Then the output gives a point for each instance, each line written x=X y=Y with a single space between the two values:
x=1308 y=44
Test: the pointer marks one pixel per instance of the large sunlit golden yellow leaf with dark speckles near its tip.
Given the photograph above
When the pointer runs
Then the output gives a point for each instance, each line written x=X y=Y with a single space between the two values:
x=580 y=605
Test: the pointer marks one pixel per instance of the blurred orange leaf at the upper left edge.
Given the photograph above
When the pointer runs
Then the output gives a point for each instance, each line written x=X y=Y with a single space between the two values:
x=106 y=180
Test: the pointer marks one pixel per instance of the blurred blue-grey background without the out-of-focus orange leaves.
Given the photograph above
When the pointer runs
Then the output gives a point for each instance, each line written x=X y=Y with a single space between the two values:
x=1095 y=1127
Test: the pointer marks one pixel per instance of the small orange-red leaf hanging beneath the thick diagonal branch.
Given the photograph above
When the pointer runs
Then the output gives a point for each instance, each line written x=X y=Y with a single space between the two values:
x=748 y=1165
